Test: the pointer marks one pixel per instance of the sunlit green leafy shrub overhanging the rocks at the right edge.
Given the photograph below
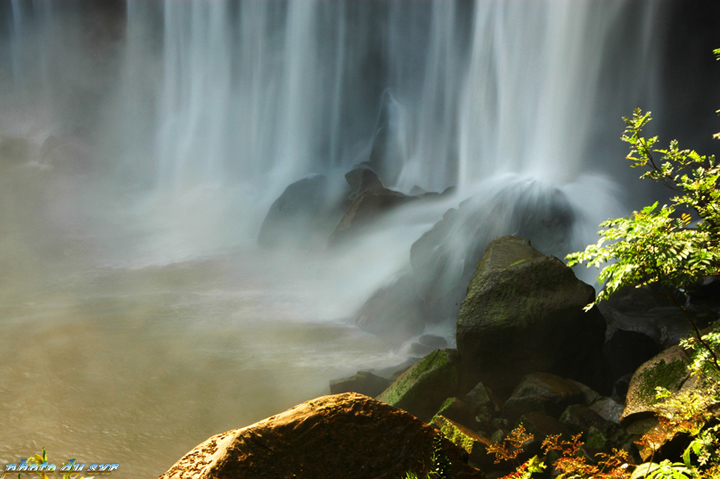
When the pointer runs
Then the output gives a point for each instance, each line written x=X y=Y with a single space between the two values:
x=668 y=248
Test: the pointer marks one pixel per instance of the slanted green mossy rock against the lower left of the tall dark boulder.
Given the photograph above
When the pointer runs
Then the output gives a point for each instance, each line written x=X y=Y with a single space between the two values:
x=423 y=388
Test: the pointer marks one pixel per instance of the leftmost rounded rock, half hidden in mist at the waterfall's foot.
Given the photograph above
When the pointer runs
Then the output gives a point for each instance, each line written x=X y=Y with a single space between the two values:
x=301 y=216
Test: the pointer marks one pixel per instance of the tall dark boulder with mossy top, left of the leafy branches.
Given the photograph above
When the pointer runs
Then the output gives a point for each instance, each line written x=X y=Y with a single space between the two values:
x=524 y=313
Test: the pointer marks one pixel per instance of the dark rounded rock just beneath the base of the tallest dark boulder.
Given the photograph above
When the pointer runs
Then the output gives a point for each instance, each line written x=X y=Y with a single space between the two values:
x=541 y=392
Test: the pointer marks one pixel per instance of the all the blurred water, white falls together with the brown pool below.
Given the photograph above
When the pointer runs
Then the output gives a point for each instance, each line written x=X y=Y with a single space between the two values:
x=137 y=315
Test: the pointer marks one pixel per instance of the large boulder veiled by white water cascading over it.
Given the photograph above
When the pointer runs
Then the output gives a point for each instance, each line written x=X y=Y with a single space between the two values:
x=444 y=259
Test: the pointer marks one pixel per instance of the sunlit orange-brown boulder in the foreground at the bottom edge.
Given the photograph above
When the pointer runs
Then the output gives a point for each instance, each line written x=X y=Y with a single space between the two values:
x=345 y=436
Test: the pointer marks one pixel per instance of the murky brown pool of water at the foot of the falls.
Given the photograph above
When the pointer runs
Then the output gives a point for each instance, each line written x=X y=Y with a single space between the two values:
x=137 y=365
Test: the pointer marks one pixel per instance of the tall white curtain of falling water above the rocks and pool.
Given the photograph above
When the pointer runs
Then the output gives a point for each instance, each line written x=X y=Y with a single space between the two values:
x=242 y=98
